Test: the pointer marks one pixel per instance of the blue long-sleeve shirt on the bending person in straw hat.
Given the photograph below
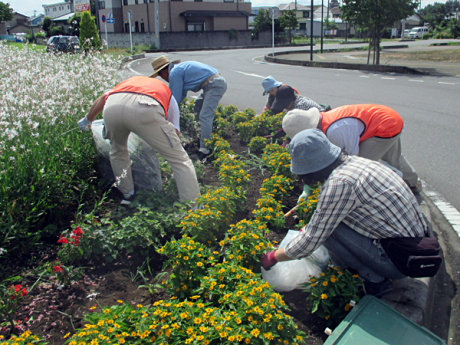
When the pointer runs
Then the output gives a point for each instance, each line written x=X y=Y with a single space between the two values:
x=188 y=76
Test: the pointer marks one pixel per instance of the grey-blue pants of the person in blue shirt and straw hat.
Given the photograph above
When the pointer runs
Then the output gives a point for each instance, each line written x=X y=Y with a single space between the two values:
x=206 y=105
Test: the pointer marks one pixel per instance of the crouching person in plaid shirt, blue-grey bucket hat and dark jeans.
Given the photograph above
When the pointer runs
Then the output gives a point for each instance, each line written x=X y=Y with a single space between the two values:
x=360 y=203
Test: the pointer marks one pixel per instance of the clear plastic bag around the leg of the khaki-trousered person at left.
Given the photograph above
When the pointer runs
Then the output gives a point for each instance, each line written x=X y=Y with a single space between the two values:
x=145 y=167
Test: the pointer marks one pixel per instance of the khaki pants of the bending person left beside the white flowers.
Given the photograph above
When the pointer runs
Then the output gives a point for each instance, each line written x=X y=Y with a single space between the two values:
x=128 y=112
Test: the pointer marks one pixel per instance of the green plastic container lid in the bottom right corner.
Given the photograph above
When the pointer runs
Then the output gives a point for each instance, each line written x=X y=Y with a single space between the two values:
x=372 y=321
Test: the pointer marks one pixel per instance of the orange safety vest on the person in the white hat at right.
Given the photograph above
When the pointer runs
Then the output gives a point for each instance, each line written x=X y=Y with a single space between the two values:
x=379 y=120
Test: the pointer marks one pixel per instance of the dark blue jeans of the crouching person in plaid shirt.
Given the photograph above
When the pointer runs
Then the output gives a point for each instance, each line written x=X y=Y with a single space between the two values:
x=349 y=249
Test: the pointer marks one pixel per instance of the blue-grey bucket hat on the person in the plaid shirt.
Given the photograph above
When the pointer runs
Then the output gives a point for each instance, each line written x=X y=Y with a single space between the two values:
x=311 y=151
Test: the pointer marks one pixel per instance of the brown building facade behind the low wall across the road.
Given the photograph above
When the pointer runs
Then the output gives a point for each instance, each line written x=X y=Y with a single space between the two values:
x=174 y=16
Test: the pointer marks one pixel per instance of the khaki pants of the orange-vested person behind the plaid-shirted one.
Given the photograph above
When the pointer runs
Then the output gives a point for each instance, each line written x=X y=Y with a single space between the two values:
x=389 y=150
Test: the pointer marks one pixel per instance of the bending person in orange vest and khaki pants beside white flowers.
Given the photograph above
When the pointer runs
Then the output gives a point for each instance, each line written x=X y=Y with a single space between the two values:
x=144 y=106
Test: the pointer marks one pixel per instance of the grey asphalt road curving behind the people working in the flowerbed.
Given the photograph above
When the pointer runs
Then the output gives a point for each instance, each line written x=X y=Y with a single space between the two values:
x=430 y=106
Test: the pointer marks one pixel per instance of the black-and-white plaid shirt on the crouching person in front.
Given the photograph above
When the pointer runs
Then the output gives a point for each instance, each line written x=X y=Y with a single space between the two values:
x=369 y=198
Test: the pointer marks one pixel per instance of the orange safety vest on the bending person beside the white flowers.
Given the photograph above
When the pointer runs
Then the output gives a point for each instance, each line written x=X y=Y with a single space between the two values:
x=151 y=87
